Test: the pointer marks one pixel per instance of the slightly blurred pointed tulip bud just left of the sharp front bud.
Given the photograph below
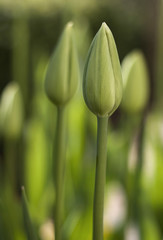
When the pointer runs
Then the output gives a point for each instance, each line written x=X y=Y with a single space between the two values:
x=63 y=70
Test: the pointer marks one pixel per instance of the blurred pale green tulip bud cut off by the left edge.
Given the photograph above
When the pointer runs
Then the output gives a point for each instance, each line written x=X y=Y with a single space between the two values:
x=11 y=111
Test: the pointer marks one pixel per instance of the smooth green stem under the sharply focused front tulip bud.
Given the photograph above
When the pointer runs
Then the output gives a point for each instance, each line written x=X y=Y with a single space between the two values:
x=100 y=178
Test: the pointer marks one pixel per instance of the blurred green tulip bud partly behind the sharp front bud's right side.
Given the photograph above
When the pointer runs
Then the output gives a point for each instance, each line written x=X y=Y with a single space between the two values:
x=135 y=82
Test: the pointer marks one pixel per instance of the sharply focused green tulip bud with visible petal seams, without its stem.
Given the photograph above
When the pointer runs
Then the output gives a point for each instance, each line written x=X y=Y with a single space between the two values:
x=102 y=85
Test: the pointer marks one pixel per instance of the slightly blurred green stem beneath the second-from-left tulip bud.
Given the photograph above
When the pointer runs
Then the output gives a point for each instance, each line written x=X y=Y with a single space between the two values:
x=59 y=165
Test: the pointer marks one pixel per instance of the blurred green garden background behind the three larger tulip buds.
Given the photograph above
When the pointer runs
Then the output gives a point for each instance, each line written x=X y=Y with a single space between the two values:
x=29 y=31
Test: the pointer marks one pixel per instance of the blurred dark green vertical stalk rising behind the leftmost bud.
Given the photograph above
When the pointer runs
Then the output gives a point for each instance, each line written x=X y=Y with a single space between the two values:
x=20 y=55
